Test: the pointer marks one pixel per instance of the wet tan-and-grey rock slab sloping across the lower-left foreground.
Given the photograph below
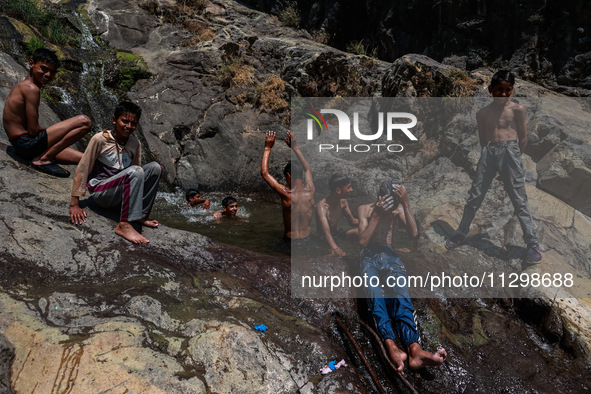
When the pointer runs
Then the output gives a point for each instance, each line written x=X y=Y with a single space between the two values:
x=172 y=316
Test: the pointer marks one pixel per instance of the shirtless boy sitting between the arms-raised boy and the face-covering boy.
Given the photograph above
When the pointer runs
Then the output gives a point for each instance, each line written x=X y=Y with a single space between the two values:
x=330 y=209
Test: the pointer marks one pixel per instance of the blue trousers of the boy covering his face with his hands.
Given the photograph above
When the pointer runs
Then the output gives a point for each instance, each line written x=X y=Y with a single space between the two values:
x=390 y=307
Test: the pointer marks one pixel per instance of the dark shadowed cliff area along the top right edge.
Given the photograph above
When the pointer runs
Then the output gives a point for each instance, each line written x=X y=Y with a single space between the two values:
x=547 y=42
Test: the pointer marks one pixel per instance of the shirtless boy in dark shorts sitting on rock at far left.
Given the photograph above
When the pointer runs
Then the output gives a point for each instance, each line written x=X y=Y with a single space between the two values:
x=42 y=146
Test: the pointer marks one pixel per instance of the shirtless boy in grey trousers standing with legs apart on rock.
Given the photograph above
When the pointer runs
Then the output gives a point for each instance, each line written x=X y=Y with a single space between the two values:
x=503 y=137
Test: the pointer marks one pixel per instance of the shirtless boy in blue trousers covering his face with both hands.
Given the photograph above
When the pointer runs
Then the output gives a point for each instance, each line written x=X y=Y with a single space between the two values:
x=378 y=259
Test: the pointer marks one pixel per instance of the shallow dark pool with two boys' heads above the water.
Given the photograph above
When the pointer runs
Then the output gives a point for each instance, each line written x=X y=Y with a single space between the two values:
x=259 y=226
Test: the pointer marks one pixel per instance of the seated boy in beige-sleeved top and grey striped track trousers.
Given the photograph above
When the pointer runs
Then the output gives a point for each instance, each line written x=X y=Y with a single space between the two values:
x=111 y=170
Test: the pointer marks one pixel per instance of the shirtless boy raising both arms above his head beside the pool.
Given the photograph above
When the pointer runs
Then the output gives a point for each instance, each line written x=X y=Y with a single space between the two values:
x=297 y=199
